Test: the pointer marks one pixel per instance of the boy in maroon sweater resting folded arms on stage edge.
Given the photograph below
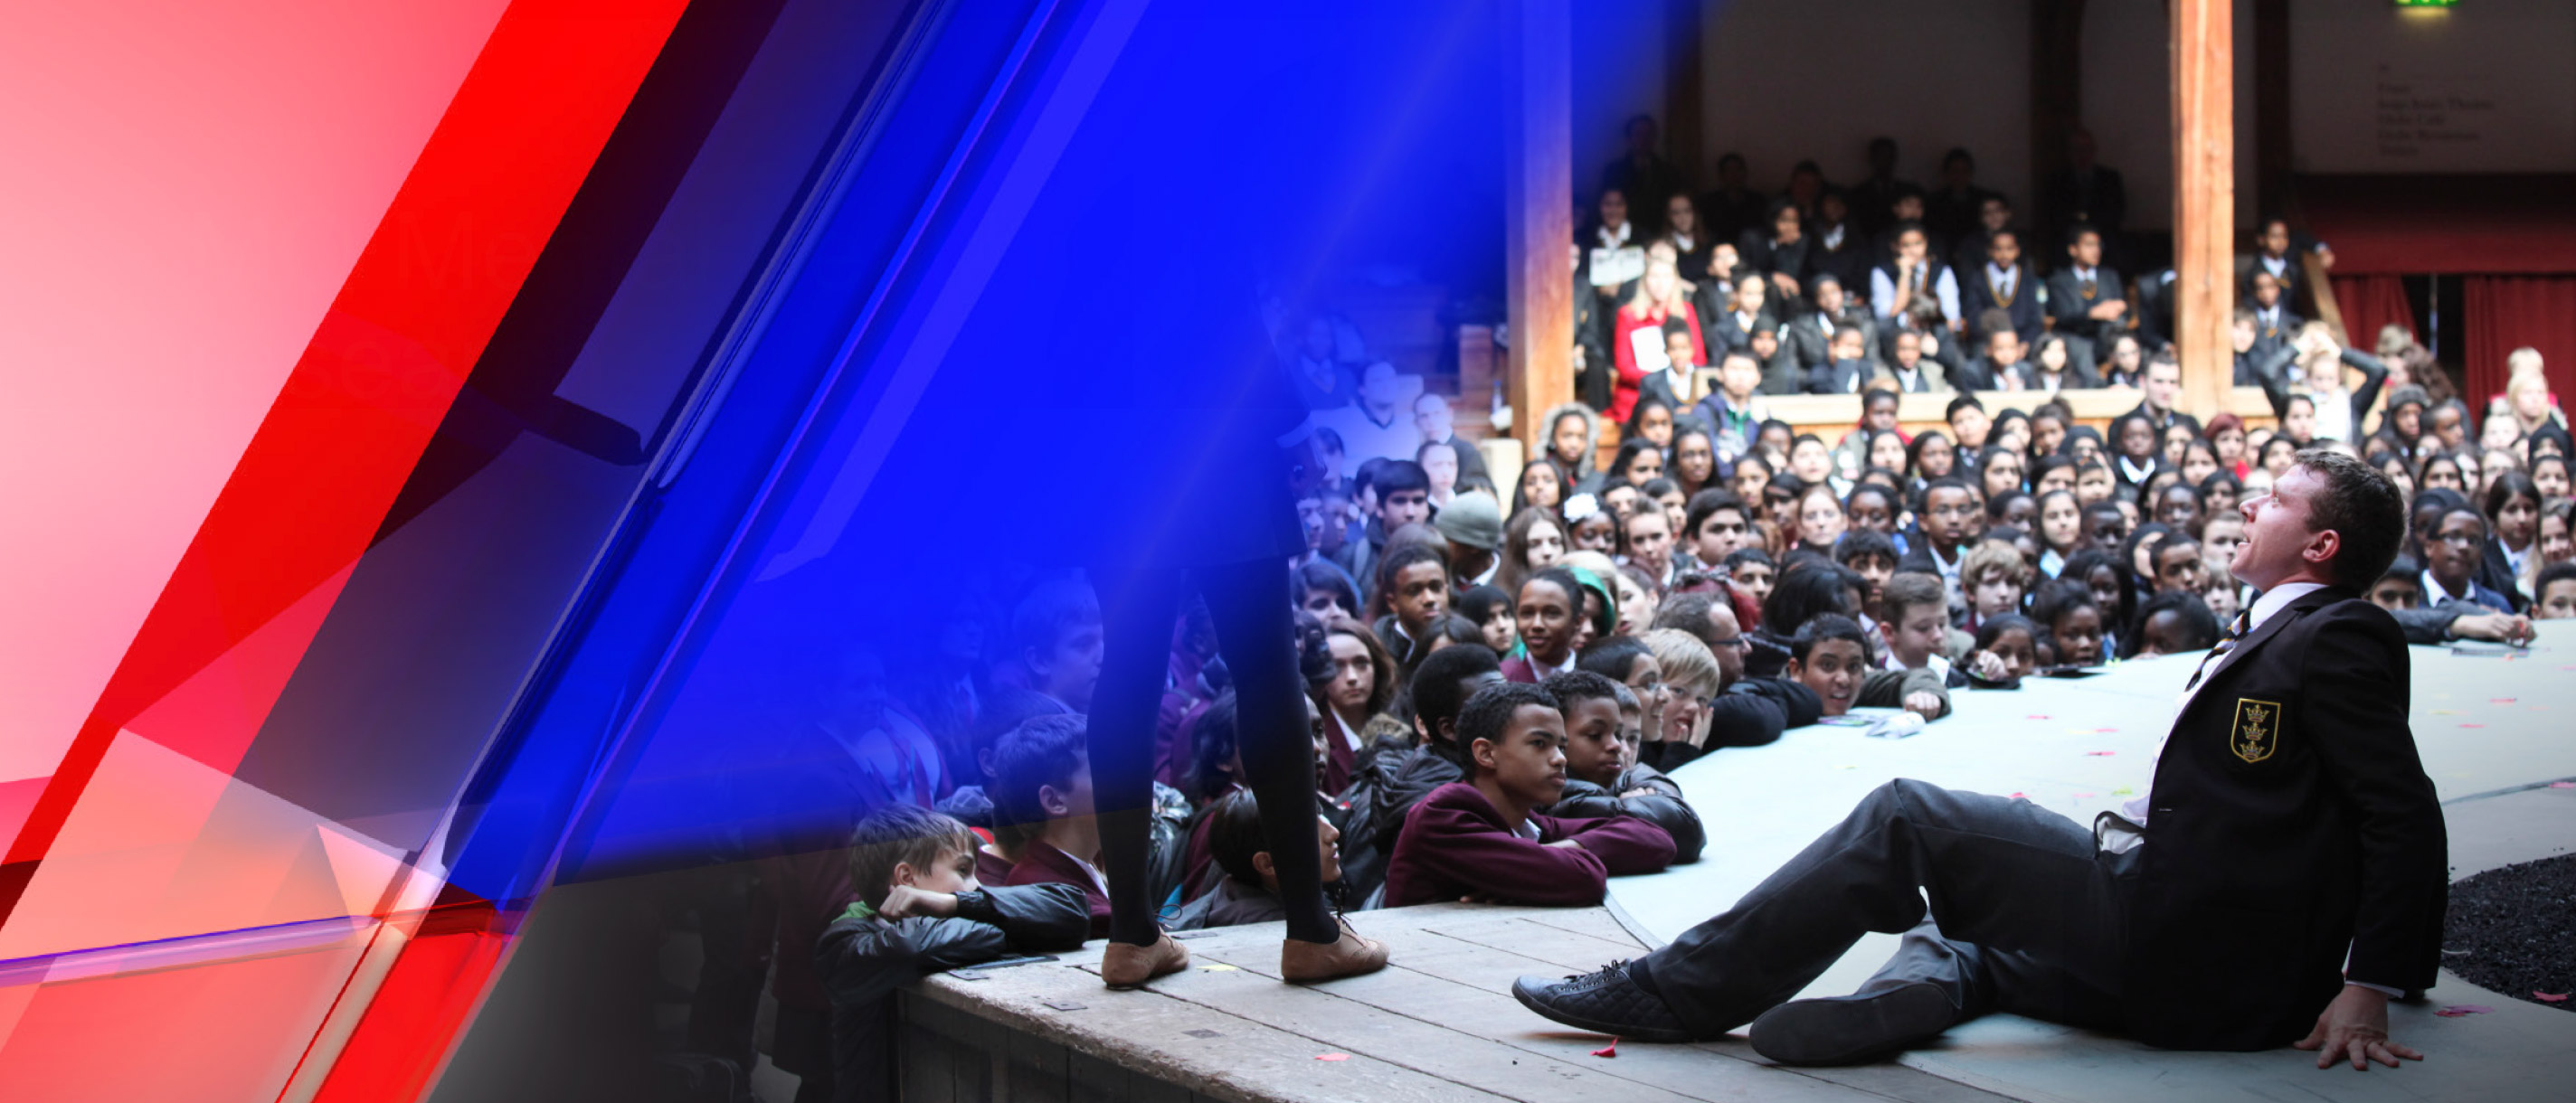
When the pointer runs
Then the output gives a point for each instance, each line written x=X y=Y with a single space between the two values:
x=1480 y=839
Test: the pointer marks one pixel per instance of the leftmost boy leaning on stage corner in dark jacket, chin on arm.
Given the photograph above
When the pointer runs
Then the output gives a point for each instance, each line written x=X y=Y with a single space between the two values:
x=921 y=911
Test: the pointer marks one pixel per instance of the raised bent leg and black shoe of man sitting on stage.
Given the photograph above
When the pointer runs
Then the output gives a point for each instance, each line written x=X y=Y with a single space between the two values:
x=2003 y=875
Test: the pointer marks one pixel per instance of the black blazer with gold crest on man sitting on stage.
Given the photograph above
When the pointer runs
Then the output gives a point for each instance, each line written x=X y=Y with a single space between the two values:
x=2289 y=823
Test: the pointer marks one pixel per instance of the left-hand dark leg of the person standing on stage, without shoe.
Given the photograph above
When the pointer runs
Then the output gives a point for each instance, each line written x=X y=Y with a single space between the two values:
x=1137 y=612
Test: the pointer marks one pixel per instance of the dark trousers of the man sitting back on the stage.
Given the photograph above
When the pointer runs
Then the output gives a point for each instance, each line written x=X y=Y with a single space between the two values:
x=2026 y=914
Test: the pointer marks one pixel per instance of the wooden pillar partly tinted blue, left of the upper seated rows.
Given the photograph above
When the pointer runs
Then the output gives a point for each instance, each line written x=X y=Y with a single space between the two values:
x=1539 y=213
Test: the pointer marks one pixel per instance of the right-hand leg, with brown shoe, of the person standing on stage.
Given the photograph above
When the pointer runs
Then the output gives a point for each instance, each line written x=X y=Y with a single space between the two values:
x=1256 y=633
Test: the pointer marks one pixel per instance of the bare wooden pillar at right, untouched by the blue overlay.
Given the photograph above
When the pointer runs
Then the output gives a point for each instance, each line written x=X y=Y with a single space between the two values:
x=2204 y=200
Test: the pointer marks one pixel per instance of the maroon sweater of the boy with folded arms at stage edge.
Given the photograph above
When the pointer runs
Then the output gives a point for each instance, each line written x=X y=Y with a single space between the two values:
x=1454 y=844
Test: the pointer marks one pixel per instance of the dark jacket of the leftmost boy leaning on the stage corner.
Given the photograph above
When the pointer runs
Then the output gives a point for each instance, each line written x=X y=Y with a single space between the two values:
x=862 y=963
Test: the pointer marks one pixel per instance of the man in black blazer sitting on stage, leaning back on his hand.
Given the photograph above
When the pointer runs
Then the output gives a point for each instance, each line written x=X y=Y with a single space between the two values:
x=2289 y=826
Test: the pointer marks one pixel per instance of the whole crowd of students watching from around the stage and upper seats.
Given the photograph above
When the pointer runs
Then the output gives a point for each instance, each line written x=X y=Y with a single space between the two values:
x=1501 y=679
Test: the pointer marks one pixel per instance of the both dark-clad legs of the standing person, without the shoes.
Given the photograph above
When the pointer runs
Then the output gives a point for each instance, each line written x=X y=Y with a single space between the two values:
x=1258 y=640
